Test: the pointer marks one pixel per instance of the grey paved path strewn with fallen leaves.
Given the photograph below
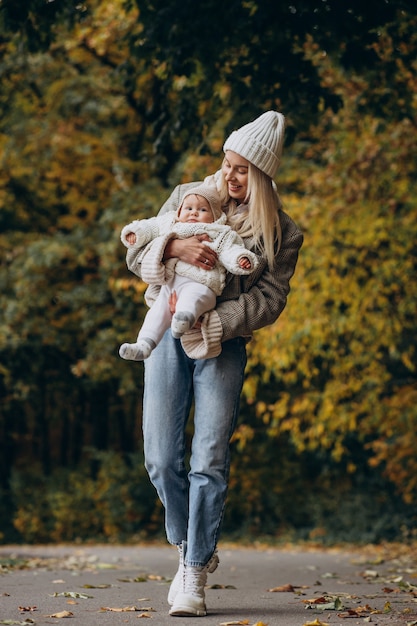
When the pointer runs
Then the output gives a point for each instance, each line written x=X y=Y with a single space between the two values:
x=260 y=586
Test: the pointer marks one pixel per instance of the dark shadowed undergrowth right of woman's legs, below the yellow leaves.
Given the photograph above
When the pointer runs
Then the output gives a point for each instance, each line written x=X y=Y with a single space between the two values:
x=276 y=491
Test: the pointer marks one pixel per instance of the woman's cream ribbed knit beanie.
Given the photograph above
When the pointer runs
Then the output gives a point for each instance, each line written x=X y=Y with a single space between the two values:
x=260 y=141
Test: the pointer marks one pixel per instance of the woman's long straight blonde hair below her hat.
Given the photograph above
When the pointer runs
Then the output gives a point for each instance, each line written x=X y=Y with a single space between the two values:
x=261 y=220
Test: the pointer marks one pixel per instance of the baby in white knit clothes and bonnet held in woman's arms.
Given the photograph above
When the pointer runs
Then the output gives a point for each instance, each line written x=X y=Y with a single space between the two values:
x=195 y=288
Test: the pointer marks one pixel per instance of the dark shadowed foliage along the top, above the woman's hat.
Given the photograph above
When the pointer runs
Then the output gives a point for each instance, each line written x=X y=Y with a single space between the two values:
x=251 y=61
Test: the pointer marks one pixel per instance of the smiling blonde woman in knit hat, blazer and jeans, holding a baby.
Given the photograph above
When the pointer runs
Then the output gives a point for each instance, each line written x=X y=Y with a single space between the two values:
x=207 y=365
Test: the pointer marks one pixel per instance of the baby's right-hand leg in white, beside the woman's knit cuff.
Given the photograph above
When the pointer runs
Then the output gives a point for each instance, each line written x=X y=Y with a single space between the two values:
x=193 y=299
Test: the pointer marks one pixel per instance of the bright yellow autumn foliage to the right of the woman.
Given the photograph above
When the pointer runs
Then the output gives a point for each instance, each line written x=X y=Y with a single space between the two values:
x=349 y=362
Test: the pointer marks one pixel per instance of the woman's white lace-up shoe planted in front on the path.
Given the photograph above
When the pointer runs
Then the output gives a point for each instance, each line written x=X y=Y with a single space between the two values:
x=190 y=597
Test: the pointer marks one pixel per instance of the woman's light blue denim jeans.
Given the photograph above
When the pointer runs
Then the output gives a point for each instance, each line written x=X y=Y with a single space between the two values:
x=194 y=497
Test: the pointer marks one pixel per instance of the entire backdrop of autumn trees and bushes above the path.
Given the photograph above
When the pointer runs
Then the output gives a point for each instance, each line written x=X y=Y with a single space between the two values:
x=101 y=107
